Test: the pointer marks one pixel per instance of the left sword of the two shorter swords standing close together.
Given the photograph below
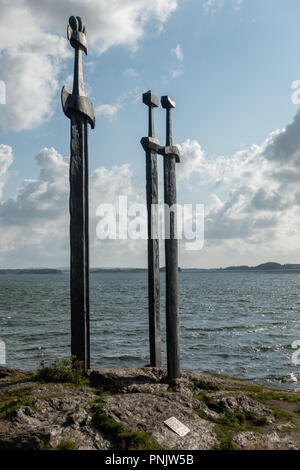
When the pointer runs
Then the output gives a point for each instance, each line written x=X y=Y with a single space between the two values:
x=151 y=146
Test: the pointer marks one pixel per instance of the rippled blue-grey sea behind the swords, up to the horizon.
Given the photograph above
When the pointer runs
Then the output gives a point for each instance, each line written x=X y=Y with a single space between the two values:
x=241 y=324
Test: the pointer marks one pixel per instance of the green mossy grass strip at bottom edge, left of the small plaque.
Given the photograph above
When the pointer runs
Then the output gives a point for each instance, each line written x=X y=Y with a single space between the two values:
x=126 y=439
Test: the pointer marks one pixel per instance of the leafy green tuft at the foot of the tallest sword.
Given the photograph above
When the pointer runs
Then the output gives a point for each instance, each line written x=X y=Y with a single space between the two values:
x=63 y=371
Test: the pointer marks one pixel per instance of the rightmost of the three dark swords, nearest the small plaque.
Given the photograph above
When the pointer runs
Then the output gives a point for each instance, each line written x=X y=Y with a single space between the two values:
x=171 y=157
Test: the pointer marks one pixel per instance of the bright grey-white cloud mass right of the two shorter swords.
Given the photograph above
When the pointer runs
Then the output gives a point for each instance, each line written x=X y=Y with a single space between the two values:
x=255 y=198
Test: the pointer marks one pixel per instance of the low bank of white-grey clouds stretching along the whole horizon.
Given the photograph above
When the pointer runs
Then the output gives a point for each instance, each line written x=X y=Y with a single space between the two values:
x=252 y=206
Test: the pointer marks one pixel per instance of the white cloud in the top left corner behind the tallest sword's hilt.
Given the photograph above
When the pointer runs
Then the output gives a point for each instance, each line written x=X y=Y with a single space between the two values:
x=34 y=47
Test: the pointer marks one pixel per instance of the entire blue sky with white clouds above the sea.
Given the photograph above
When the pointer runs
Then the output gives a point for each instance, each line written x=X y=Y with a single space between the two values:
x=230 y=65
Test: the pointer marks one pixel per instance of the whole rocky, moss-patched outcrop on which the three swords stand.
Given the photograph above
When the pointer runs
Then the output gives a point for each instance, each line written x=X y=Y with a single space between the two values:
x=126 y=409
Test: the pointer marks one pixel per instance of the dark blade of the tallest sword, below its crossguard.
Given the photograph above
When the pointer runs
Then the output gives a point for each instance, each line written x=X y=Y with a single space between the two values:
x=79 y=240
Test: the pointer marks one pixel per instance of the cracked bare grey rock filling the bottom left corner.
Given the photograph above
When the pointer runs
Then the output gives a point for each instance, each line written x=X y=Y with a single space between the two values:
x=53 y=420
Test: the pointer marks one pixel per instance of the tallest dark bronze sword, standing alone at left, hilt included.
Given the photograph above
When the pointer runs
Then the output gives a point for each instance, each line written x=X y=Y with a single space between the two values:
x=79 y=109
